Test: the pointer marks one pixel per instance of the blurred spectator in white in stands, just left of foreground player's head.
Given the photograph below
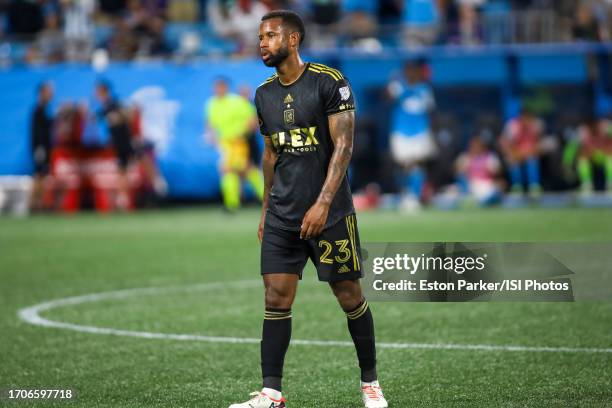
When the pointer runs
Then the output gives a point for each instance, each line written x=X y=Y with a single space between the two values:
x=237 y=20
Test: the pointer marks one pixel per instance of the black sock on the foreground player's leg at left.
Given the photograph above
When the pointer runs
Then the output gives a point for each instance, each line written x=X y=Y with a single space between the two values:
x=274 y=343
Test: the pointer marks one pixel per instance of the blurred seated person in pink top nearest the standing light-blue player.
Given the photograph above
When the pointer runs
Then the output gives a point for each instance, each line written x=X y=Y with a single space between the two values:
x=478 y=172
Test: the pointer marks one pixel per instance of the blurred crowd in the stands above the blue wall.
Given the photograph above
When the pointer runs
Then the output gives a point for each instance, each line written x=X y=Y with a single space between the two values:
x=34 y=31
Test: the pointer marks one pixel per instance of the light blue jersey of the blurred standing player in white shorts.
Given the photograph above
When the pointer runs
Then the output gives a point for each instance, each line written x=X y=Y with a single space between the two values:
x=412 y=106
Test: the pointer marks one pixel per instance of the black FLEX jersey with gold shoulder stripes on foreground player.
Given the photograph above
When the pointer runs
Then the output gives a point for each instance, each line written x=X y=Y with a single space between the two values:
x=295 y=118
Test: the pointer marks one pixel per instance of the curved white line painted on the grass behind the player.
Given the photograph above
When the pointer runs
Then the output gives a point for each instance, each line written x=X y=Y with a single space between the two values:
x=32 y=316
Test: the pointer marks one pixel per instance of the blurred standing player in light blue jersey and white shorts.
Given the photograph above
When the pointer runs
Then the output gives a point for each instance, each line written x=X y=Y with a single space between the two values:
x=411 y=139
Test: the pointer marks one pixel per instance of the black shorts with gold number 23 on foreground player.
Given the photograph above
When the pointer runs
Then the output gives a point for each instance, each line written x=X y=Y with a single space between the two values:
x=336 y=253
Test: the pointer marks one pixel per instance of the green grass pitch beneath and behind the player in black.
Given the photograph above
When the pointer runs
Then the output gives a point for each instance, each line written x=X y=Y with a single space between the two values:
x=51 y=257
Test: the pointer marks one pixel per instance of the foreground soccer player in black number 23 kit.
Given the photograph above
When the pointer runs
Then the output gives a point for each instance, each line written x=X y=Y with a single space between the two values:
x=306 y=114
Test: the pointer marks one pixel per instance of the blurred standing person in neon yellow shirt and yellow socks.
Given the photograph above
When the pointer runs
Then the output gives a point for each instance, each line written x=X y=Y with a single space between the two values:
x=232 y=118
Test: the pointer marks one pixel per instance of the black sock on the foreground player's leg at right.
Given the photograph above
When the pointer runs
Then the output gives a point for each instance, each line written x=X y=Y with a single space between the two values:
x=361 y=327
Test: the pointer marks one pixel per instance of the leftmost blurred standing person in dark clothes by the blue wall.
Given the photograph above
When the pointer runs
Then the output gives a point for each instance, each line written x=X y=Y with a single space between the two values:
x=41 y=126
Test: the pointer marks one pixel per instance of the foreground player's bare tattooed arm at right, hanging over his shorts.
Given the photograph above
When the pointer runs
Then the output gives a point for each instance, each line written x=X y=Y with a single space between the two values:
x=341 y=128
